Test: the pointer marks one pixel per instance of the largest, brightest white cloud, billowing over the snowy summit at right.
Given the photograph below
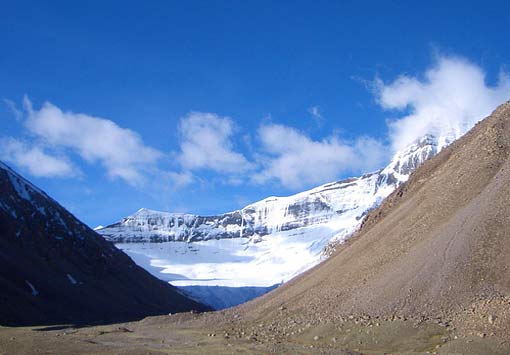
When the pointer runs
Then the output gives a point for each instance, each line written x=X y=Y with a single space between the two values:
x=452 y=96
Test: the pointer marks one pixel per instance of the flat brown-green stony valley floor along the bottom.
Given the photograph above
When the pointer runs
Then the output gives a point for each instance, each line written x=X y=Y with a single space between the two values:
x=227 y=333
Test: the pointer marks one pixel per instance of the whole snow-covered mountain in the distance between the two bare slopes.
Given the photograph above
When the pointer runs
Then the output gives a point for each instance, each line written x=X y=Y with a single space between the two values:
x=264 y=243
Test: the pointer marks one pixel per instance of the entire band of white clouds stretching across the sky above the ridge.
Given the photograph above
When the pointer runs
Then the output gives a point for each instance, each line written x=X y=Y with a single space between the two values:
x=448 y=99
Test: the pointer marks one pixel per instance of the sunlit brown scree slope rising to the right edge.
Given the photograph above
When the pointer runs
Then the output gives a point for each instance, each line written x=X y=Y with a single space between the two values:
x=437 y=248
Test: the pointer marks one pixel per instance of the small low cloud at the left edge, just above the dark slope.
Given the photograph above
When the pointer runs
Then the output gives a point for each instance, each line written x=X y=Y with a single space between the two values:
x=35 y=160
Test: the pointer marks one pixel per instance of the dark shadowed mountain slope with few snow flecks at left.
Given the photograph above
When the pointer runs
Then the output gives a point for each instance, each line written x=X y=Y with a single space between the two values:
x=53 y=268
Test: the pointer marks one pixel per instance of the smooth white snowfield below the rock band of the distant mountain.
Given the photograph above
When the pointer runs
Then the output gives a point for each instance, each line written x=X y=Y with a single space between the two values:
x=233 y=262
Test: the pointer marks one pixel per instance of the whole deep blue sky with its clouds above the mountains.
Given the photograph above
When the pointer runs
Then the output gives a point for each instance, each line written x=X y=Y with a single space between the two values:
x=204 y=107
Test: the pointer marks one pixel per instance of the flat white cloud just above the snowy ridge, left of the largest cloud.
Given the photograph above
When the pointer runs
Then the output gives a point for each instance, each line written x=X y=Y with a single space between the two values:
x=296 y=160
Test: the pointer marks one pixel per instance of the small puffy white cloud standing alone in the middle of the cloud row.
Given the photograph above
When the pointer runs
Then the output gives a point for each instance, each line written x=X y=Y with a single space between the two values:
x=206 y=143
